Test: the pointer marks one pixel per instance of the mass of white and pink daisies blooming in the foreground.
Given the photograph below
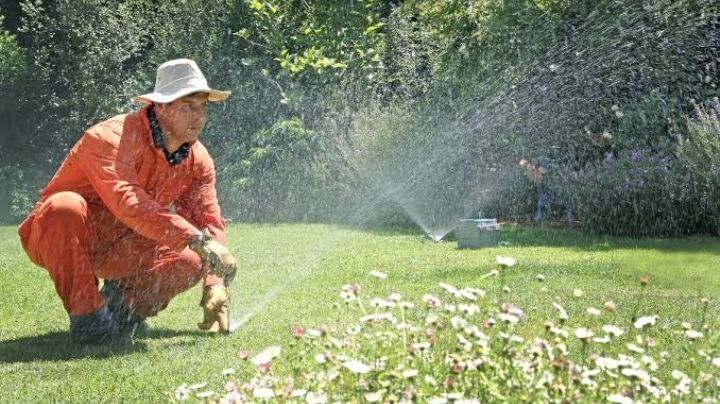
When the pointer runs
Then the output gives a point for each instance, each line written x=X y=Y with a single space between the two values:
x=463 y=345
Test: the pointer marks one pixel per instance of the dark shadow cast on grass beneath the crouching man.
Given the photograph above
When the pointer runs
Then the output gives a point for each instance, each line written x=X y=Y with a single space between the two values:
x=57 y=346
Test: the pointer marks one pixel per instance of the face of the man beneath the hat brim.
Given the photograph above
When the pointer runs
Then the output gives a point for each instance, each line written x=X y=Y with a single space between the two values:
x=184 y=119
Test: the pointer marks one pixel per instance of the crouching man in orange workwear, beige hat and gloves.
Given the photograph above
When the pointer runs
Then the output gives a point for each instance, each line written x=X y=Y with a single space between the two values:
x=134 y=203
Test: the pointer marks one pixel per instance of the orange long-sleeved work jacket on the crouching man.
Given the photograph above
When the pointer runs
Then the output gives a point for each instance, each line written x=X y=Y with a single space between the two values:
x=116 y=165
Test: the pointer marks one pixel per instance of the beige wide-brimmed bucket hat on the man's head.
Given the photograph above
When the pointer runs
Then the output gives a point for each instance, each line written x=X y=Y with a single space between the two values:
x=178 y=78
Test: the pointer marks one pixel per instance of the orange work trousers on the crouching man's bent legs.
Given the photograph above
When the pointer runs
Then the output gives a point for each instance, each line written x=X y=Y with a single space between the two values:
x=79 y=242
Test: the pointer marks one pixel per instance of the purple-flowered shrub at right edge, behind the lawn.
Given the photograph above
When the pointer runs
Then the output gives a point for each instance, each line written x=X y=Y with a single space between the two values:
x=671 y=188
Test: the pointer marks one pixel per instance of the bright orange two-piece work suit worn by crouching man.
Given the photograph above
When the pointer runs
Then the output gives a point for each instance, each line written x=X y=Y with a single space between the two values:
x=116 y=209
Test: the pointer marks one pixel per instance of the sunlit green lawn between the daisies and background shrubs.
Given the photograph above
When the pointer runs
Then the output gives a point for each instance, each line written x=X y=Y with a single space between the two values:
x=292 y=275
